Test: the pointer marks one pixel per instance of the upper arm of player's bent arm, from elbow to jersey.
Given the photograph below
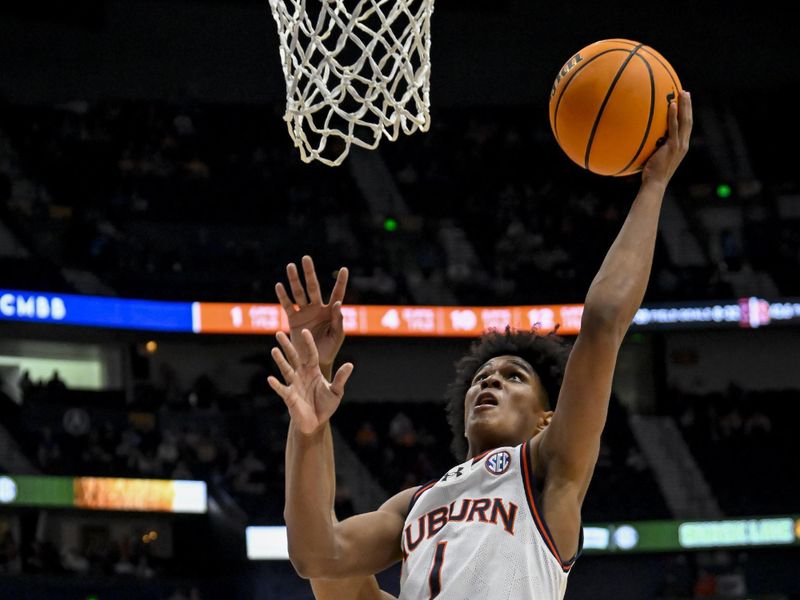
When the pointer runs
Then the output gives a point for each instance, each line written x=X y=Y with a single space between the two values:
x=365 y=544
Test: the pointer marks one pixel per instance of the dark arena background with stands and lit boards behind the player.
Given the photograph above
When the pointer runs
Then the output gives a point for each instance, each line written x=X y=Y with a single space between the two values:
x=150 y=198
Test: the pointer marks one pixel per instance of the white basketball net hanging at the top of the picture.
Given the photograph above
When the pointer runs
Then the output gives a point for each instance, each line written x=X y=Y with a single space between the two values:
x=353 y=76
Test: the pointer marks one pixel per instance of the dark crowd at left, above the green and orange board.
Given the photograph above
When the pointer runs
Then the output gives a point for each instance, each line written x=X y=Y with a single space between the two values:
x=197 y=433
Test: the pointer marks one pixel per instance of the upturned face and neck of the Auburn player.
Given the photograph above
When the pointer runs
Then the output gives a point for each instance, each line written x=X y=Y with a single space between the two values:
x=504 y=404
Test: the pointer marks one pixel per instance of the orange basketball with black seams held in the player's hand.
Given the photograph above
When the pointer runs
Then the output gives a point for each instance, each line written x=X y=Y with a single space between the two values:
x=608 y=105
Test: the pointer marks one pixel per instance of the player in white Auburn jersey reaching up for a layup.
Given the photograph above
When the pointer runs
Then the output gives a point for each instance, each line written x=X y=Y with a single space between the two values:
x=505 y=523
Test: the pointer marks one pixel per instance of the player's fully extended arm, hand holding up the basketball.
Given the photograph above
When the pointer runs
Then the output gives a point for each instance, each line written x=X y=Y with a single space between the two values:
x=570 y=447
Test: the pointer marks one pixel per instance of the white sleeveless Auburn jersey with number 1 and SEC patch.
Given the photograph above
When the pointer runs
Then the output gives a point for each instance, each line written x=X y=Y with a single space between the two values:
x=478 y=534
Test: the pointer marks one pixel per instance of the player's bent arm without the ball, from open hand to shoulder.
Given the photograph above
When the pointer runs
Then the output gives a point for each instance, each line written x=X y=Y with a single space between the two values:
x=318 y=547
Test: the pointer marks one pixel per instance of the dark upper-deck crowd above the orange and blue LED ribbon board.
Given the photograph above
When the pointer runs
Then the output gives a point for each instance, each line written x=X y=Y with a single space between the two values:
x=208 y=202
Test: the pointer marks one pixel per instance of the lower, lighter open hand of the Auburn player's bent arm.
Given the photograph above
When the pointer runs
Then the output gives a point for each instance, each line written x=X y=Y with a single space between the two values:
x=311 y=400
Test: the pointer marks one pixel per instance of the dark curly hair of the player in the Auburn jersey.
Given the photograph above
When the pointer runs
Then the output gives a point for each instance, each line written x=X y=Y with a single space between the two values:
x=547 y=354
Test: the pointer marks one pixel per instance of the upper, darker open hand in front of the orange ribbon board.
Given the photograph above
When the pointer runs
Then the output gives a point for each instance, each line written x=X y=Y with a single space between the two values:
x=308 y=311
